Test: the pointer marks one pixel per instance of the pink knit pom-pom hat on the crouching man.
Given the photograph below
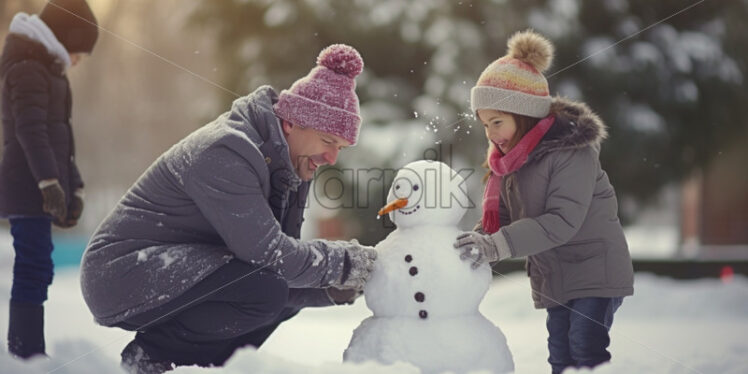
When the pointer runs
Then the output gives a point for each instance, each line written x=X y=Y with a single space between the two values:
x=326 y=99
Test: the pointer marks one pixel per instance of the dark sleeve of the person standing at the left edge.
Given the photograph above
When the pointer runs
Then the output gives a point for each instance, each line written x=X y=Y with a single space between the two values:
x=29 y=91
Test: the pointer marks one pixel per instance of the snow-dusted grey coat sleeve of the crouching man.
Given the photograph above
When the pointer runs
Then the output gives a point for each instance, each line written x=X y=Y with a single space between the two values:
x=228 y=192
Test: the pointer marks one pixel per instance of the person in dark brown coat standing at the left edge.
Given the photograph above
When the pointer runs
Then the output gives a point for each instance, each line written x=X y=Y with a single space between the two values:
x=39 y=181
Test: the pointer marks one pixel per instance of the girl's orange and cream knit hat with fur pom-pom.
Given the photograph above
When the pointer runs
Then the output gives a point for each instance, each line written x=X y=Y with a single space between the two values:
x=515 y=83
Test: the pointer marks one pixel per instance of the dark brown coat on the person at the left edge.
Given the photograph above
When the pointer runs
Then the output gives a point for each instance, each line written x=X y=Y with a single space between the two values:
x=38 y=138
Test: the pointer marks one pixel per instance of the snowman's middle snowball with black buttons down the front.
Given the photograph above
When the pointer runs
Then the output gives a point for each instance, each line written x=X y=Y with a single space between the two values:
x=416 y=275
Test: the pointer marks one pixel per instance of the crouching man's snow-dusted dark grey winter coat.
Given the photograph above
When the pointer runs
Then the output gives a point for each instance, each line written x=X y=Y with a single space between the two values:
x=226 y=191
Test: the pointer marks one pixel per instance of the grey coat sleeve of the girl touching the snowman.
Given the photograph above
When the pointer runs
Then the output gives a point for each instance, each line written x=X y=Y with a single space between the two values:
x=569 y=194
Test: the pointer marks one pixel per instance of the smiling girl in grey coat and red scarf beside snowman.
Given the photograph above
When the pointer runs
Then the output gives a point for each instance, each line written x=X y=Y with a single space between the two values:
x=548 y=199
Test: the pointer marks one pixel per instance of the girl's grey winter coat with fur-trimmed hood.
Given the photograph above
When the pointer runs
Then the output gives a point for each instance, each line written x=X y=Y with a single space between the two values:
x=560 y=210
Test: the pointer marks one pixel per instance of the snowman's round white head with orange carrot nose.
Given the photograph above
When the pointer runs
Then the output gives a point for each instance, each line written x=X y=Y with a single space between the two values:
x=426 y=193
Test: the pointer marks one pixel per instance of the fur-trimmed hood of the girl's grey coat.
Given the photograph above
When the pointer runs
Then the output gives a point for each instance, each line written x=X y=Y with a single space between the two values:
x=576 y=126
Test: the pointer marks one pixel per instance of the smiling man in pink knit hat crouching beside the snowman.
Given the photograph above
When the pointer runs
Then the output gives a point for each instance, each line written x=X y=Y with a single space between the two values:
x=202 y=255
